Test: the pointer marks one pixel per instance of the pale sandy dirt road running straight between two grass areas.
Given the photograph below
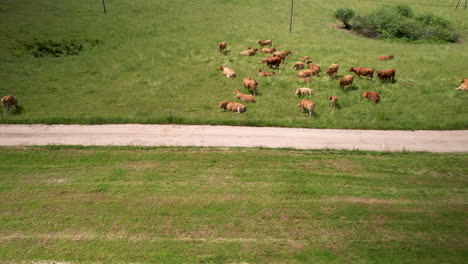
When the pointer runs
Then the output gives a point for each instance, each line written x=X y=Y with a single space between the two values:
x=227 y=136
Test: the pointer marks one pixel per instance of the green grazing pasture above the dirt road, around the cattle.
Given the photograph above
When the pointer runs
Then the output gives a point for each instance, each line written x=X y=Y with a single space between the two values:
x=156 y=62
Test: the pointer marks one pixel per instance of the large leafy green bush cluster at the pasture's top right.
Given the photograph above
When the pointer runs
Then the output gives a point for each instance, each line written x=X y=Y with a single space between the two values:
x=399 y=21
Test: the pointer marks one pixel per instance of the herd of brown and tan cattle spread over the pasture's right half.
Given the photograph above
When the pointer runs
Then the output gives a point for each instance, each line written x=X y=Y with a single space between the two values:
x=305 y=75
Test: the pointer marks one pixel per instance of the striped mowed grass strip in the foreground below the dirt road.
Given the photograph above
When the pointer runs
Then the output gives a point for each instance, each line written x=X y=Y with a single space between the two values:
x=230 y=205
